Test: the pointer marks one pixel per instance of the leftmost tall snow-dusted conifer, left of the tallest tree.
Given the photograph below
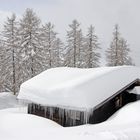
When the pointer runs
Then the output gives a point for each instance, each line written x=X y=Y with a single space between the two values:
x=9 y=57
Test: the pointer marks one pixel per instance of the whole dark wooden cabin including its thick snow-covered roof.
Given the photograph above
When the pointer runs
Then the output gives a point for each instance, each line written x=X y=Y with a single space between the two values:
x=73 y=96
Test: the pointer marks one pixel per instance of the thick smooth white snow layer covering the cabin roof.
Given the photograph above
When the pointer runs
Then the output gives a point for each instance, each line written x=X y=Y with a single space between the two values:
x=77 y=88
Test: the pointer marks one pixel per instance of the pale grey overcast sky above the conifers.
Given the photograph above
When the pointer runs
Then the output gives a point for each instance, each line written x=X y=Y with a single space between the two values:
x=103 y=14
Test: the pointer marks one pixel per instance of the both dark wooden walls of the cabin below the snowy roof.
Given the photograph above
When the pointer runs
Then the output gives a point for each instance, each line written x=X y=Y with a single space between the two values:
x=100 y=113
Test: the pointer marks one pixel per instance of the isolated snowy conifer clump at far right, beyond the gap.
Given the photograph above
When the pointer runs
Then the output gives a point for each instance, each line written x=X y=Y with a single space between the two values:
x=118 y=52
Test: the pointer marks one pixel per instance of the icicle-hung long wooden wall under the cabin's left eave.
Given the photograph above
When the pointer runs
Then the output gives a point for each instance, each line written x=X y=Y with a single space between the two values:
x=64 y=117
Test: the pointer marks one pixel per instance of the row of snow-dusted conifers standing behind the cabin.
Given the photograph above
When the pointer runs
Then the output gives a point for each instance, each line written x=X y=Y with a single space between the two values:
x=27 y=47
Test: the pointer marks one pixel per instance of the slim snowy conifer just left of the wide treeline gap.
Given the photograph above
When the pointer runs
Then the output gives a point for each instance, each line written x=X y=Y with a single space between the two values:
x=92 y=49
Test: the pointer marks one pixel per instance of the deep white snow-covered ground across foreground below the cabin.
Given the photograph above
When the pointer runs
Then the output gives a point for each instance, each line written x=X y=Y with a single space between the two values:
x=15 y=124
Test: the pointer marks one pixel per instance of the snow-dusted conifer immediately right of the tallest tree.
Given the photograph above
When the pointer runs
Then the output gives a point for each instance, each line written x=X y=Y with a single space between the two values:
x=51 y=48
